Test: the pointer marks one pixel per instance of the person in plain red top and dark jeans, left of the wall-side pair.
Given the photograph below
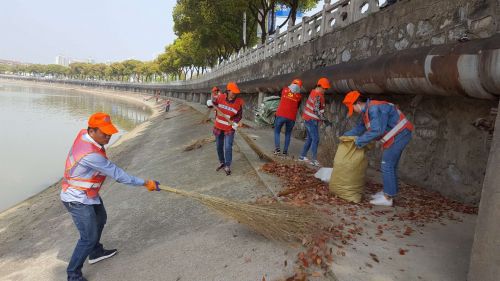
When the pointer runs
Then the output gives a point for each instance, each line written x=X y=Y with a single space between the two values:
x=286 y=114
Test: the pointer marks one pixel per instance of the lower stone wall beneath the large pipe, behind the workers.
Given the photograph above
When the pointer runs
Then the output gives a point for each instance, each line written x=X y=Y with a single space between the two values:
x=447 y=153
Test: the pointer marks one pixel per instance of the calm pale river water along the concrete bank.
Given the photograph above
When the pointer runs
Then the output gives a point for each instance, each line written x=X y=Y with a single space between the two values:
x=37 y=128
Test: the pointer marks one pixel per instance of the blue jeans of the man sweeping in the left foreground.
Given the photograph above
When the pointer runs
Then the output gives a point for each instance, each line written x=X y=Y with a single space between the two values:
x=90 y=221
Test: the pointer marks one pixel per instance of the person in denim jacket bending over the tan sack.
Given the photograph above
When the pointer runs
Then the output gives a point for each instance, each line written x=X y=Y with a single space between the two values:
x=384 y=122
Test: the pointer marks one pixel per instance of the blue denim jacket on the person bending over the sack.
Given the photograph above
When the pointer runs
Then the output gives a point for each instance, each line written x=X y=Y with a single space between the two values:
x=383 y=118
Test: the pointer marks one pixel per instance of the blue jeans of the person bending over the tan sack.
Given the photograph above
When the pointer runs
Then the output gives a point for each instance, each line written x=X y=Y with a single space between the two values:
x=390 y=161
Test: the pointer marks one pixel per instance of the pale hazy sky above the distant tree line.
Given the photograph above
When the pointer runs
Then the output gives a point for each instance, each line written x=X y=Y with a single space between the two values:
x=36 y=31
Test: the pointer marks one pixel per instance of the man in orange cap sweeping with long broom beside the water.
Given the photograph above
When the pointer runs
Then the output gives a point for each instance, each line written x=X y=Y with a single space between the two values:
x=87 y=166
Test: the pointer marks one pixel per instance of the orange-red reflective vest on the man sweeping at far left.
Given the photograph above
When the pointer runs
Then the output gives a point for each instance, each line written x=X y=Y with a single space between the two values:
x=80 y=149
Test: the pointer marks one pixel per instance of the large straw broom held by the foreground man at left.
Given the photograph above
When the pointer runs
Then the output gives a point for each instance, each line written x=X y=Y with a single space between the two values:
x=279 y=222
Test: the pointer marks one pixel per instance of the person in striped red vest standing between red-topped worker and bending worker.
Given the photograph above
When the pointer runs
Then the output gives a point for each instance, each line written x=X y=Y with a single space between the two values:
x=313 y=113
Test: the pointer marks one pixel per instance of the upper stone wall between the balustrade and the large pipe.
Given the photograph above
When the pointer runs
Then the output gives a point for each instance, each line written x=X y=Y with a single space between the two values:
x=407 y=24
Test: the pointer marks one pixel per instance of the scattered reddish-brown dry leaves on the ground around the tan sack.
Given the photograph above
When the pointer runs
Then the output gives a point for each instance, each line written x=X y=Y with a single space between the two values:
x=414 y=206
